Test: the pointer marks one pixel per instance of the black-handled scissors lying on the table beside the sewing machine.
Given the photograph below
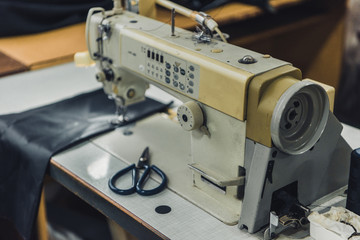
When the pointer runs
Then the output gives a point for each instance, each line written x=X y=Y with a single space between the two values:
x=138 y=183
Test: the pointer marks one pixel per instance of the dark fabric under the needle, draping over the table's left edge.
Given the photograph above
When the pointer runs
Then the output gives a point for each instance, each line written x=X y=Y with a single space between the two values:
x=29 y=139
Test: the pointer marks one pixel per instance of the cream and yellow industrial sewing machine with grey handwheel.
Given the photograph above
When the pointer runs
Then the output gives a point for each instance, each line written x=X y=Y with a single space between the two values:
x=256 y=140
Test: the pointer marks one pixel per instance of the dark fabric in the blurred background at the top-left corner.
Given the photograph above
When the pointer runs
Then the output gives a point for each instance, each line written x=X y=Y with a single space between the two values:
x=20 y=17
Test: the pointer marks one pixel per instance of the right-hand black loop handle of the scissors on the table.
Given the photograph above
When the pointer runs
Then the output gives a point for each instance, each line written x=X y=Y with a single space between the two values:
x=144 y=177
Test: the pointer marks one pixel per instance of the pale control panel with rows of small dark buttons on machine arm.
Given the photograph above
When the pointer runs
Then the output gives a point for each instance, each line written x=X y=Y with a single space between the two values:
x=175 y=73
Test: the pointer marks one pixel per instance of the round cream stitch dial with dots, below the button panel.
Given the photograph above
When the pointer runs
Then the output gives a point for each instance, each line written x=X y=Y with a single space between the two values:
x=190 y=116
